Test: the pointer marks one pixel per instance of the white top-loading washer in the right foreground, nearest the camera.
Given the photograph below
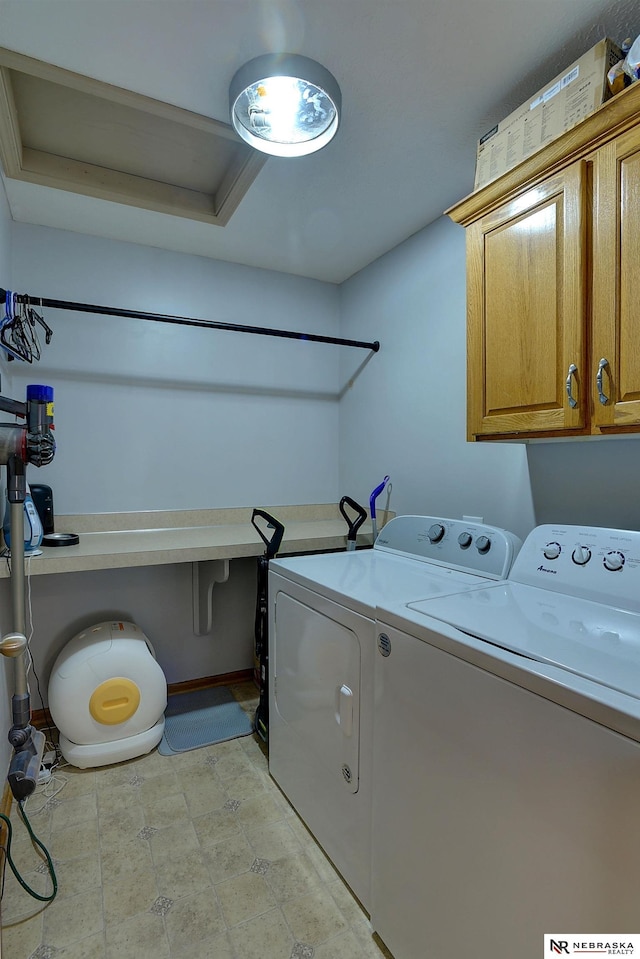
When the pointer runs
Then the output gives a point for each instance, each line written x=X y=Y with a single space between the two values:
x=507 y=756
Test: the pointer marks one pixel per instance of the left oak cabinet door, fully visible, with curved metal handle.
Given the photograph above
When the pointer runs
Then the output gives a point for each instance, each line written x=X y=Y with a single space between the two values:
x=526 y=312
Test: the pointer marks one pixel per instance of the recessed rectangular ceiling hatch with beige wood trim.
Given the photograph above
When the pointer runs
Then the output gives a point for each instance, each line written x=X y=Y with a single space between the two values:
x=74 y=133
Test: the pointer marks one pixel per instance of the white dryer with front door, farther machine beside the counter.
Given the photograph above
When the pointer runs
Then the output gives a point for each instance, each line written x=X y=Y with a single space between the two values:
x=321 y=659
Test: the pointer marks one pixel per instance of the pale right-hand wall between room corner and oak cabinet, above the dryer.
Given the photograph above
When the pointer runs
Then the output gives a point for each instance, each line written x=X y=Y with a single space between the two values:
x=405 y=414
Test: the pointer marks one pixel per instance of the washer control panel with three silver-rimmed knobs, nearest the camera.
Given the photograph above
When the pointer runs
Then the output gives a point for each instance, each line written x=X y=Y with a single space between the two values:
x=592 y=562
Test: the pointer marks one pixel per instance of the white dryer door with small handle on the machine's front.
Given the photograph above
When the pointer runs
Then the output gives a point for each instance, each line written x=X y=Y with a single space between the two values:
x=317 y=685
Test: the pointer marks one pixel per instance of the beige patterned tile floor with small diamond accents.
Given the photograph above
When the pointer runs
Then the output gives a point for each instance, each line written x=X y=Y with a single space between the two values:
x=194 y=856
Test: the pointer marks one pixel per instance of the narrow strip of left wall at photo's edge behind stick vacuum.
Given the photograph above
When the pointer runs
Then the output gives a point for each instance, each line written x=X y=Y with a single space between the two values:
x=6 y=667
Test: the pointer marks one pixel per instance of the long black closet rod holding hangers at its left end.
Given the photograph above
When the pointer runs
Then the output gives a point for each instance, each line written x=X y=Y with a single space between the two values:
x=187 y=321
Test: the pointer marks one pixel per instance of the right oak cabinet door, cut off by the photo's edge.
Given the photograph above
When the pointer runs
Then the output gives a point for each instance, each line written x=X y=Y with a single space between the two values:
x=615 y=373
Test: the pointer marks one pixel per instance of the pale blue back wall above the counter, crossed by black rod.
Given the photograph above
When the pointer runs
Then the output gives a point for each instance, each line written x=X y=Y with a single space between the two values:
x=152 y=416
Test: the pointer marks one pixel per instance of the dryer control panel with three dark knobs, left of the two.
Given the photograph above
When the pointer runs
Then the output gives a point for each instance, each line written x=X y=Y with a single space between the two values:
x=469 y=546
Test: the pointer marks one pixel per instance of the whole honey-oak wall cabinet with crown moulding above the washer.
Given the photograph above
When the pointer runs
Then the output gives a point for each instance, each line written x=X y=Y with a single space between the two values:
x=553 y=285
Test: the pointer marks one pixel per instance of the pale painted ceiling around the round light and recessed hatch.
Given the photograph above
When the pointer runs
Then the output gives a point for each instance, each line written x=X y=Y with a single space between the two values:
x=421 y=81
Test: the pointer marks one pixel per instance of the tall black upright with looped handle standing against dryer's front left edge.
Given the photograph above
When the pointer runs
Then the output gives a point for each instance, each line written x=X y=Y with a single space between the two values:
x=272 y=543
